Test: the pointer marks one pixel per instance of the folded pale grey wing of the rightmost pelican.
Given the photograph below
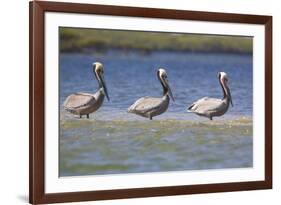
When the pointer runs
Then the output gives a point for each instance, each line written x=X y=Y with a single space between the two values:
x=206 y=104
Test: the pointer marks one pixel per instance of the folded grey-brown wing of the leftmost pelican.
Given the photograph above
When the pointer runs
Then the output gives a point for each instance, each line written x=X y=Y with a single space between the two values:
x=78 y=100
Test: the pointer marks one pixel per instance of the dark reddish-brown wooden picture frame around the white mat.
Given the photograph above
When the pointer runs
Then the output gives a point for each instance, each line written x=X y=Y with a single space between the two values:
x=37 y=194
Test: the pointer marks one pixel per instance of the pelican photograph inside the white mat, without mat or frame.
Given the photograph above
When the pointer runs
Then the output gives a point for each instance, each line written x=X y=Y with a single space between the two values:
x=140 y=102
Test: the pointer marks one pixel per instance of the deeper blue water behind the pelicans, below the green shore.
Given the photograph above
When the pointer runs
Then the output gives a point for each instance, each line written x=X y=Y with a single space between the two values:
x=131 y=76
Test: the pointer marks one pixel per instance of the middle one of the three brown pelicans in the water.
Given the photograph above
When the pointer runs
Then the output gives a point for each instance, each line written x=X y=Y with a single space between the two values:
x=152 y=106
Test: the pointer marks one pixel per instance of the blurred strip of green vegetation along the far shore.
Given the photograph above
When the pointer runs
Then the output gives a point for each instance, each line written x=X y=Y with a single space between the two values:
x=85 y=40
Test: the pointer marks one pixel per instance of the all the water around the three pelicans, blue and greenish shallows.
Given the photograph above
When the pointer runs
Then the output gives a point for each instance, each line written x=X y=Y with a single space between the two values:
x=113 y=141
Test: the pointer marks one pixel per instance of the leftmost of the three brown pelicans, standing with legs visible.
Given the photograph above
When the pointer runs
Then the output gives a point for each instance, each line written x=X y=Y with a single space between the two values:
x=86 y=103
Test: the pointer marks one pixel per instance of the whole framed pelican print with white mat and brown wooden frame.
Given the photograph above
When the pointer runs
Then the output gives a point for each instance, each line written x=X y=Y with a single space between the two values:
x=139 y=102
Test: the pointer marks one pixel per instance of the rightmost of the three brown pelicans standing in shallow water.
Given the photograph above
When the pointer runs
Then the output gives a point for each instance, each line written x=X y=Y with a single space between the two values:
x=211 y=107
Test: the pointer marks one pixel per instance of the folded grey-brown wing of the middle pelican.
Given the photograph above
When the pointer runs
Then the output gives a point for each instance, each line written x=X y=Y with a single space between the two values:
x=145 y=104
